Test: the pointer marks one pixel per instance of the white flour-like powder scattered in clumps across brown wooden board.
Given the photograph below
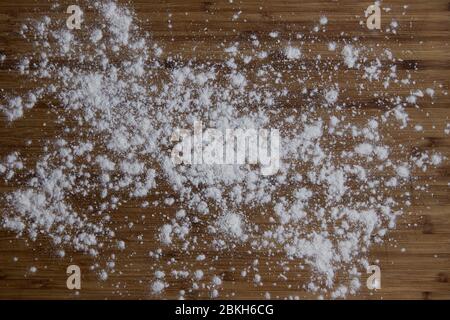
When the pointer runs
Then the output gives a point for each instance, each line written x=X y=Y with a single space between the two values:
x=120 y=97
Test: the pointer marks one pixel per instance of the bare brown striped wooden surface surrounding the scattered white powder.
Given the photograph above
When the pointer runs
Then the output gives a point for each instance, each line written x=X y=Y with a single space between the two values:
x=420 y=271
